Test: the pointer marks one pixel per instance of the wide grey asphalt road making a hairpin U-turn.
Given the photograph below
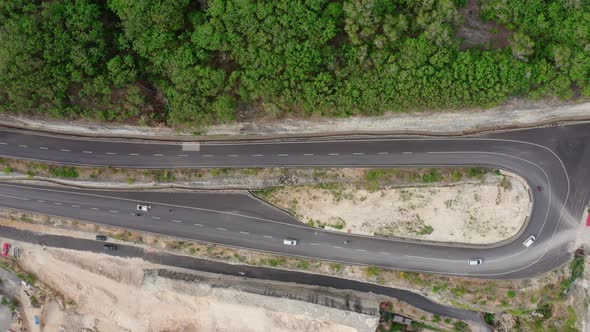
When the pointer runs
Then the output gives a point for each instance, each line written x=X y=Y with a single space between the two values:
x=550 y=158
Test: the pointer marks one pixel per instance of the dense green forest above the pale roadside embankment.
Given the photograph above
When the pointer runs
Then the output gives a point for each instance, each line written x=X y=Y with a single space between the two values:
x=195 y=63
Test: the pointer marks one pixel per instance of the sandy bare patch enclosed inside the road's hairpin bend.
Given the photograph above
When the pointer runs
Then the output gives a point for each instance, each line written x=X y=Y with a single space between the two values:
x=481 y=213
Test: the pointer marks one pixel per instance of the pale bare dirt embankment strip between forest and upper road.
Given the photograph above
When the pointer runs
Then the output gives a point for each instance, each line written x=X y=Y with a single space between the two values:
x=513 y=114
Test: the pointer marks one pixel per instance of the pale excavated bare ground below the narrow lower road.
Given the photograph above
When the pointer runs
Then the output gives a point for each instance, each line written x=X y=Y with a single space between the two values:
x=113 y=294
